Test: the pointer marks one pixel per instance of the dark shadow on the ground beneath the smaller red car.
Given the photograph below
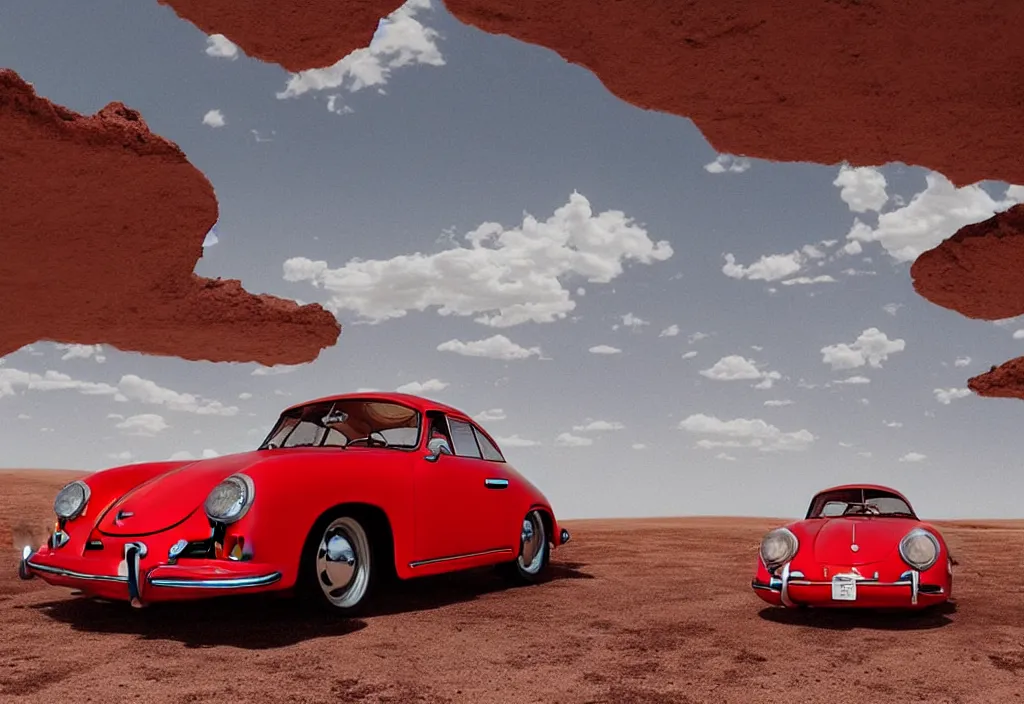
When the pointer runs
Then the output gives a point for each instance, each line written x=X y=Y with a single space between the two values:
x=870 y=620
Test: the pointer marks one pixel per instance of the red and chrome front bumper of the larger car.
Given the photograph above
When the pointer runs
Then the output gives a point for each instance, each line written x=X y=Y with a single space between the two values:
x=137 y=580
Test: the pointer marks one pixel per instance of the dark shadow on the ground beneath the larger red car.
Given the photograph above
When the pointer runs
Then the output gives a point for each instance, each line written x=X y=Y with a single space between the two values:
x=262 y=623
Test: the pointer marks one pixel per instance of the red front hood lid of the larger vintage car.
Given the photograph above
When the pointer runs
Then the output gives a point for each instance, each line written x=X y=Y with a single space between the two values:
x=169 y=499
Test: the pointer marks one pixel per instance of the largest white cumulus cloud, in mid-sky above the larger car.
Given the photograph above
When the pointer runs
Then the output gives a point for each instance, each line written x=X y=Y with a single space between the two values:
x=505 y=278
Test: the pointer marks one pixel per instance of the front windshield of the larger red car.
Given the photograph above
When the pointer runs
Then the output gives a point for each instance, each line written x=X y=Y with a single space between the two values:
x=351 y=423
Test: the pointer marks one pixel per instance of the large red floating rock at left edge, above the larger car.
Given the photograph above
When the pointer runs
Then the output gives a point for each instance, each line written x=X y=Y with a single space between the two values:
x=102 y=224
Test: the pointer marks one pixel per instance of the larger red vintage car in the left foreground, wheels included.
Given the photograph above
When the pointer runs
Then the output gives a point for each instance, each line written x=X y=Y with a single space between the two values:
x=346 y=491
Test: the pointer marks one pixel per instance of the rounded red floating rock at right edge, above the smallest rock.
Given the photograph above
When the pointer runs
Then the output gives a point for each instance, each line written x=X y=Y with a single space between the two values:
x=979 y=272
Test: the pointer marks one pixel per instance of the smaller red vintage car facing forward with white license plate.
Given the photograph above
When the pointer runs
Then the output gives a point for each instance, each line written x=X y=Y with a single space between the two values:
x=860 y=546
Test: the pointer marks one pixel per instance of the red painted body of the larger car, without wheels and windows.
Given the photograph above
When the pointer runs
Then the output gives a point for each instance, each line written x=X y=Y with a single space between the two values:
x=445 y=514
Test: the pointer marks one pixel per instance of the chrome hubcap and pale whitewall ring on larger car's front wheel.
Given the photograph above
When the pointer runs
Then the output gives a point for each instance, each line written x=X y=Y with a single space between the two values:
x=344 y=562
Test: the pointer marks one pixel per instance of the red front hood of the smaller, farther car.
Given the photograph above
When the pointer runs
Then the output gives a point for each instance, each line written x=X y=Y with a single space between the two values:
x=876 y=539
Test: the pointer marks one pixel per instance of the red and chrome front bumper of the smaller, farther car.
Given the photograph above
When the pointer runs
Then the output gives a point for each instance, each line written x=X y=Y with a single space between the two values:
x=790 y=588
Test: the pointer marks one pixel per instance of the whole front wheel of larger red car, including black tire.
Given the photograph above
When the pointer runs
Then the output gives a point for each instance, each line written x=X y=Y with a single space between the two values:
x=354 y=564
